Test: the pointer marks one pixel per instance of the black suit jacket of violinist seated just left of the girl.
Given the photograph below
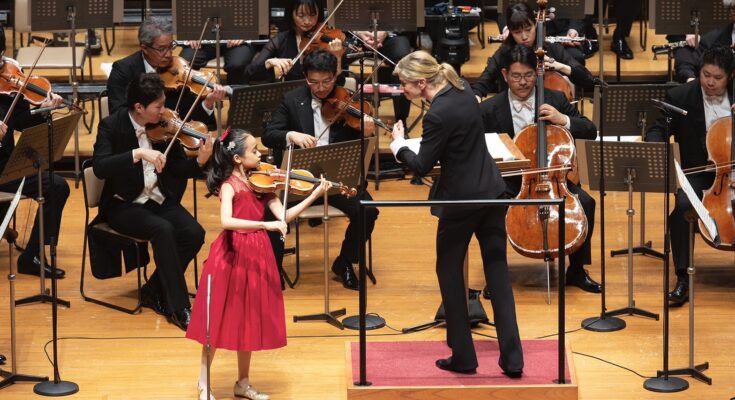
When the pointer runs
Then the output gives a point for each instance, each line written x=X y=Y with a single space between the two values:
x=113 y=162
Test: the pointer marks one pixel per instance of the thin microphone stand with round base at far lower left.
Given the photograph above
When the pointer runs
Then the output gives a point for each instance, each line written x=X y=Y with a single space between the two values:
x=57 y=387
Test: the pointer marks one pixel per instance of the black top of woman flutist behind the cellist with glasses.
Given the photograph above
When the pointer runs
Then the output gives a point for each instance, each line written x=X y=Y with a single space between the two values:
x=491 y=79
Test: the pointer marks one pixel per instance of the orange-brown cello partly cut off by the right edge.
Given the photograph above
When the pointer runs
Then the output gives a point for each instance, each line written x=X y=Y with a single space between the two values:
x=719 y=199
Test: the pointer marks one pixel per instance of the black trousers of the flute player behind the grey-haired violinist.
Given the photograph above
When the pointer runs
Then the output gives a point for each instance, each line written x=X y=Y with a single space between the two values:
x=236 y=59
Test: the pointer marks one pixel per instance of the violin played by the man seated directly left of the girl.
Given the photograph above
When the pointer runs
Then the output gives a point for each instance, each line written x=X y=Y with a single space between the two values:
x=192 y=135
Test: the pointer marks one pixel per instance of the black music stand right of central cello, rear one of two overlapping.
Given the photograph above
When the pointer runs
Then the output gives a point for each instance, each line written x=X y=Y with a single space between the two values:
x=628 y=111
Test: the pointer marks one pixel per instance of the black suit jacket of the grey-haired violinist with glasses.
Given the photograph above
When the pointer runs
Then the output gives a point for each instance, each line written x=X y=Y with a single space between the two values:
x=130 y=68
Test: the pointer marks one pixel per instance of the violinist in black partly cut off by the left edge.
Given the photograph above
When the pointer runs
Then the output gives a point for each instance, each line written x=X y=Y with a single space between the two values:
x=55 y=188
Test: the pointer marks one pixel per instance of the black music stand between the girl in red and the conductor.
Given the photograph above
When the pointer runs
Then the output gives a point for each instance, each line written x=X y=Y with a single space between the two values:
x=337 y=162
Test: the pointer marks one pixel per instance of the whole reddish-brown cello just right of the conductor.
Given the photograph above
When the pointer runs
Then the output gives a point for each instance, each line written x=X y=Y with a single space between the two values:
x=533 y=230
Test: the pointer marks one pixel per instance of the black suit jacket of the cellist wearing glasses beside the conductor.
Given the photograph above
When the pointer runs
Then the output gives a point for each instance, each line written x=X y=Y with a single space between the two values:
x=497 y=117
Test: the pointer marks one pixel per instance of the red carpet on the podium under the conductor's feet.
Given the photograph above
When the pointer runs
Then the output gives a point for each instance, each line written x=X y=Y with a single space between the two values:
x=411 y=363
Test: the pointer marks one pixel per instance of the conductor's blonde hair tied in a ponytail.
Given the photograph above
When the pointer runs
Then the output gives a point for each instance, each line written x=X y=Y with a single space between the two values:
x=421 y=65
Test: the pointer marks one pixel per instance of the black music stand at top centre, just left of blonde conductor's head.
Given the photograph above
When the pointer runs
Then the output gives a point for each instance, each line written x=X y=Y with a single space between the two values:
x=389 y=15
